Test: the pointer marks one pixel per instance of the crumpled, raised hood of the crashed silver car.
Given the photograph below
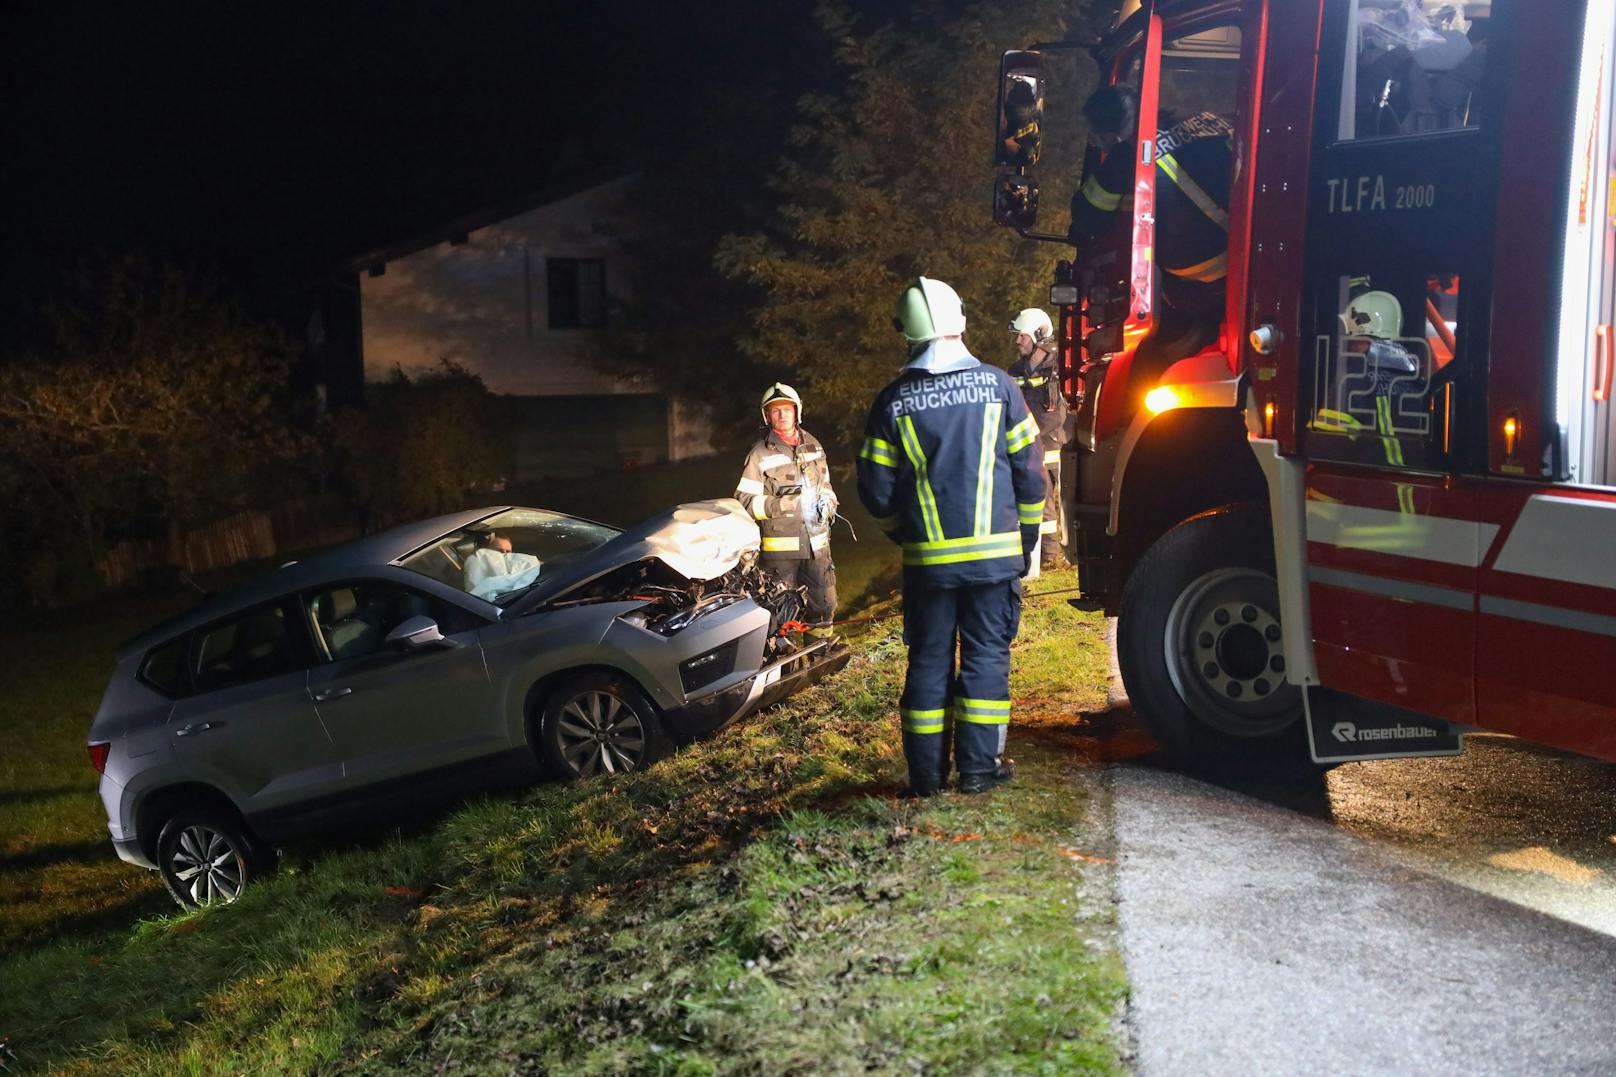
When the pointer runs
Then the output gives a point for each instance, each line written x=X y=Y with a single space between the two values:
x=699 y=541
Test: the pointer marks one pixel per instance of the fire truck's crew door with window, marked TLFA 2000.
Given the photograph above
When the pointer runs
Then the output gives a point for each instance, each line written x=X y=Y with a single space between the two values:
x=1397 y=279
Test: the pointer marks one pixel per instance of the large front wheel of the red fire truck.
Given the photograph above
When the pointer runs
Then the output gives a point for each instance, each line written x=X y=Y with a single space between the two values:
x=1201 y=653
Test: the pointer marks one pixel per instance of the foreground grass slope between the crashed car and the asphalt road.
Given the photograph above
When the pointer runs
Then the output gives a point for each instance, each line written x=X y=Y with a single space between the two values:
x=757 y=903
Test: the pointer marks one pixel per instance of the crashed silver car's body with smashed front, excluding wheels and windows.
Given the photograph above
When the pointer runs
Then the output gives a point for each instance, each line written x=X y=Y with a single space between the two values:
x=334 y=738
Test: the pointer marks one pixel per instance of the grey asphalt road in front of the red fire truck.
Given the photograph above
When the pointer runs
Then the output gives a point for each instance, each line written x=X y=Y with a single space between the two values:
x=1447 y=916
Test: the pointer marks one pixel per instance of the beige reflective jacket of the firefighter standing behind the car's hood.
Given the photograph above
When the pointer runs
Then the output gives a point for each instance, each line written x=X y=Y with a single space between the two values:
x=772 y=470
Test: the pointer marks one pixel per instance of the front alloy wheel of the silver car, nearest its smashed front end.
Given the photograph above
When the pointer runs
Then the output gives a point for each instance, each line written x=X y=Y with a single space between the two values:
x=599 y=724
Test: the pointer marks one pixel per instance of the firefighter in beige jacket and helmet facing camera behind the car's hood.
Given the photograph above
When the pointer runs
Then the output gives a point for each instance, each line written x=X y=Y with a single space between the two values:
x=786 y=486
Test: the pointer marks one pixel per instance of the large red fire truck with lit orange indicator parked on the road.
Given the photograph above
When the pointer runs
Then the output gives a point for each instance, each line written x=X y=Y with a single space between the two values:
x=1381 y=512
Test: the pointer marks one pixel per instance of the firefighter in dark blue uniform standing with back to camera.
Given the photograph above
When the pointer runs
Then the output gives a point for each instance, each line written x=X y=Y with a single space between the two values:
x=953 y=471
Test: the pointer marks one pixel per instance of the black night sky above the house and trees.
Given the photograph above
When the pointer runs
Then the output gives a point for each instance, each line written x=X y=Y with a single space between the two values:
x=272 y=141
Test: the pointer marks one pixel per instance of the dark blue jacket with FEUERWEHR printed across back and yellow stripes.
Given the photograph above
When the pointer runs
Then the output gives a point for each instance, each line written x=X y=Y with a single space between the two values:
x=953 y=471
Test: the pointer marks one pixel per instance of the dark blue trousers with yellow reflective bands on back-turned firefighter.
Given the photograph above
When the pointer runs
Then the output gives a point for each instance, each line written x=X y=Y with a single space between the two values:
x=972 y=706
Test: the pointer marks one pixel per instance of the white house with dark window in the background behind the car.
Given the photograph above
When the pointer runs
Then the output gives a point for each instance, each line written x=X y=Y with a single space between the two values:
x=526 y=303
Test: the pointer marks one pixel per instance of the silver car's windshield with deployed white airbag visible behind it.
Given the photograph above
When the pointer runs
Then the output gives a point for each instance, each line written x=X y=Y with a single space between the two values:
x=507 y=554
